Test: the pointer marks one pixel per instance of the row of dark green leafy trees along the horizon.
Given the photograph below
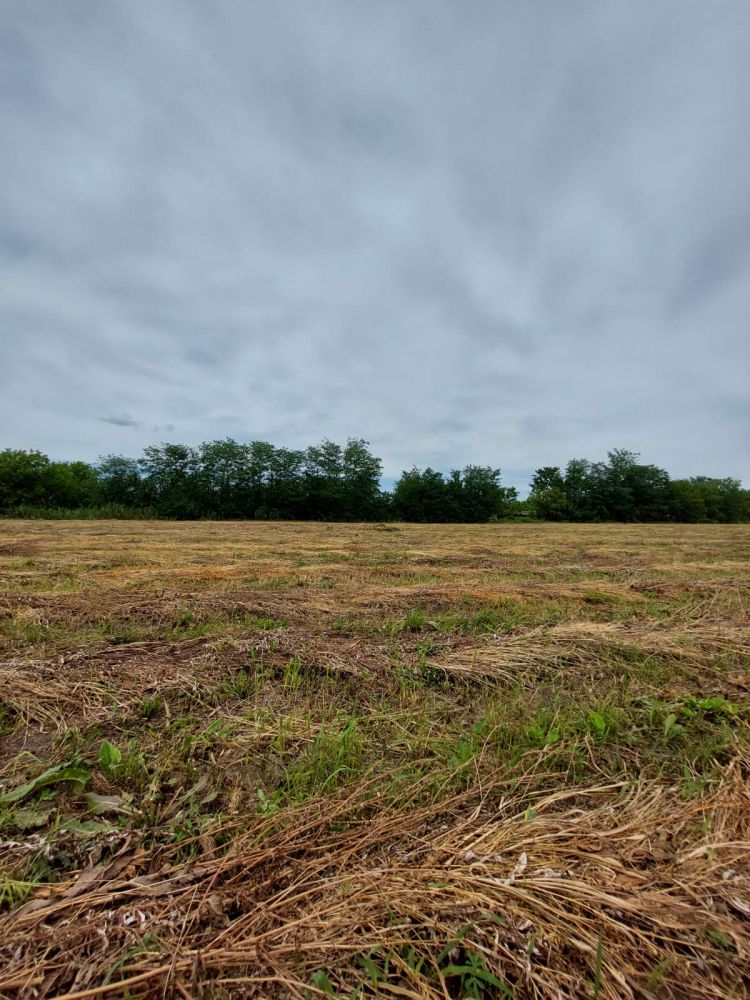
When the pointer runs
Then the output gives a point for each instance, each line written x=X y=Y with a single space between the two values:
x=232 y=480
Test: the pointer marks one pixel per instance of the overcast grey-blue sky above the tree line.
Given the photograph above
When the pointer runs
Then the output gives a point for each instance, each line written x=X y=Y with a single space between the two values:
x=487 y=232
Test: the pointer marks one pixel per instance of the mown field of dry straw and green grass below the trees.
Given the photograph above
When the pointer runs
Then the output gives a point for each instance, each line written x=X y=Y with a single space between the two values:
x=304 y=760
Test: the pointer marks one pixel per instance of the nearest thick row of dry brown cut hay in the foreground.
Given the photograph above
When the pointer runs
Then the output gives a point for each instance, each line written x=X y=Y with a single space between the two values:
x=599 y=889
